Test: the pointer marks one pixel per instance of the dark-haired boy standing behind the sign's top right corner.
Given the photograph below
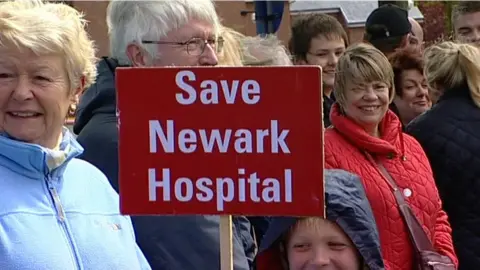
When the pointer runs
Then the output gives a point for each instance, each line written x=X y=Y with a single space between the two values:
x=319 y=39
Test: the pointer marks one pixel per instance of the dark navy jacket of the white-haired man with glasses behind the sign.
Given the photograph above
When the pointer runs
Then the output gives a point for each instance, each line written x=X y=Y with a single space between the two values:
x=168 y=242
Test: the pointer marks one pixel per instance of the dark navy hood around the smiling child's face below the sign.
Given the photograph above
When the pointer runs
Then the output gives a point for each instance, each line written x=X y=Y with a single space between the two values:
x=347 y=205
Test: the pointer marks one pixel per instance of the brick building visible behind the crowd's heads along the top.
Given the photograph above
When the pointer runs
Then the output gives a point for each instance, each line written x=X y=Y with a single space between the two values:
x=240 y=16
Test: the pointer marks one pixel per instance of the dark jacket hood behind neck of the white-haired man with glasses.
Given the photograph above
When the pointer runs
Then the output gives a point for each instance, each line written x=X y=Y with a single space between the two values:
x=98 y=98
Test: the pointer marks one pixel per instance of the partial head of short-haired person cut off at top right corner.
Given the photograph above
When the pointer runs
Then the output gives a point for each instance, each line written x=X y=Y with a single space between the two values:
x=466 y=22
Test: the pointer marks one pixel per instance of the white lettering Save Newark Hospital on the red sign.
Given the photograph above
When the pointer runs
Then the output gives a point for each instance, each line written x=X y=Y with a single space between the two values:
x=164 y=136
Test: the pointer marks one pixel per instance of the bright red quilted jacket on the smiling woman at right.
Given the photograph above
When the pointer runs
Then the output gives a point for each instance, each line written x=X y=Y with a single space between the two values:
x=405 y=160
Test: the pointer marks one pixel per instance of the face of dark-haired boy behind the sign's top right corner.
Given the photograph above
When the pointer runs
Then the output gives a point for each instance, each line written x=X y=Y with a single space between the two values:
x=325 y=52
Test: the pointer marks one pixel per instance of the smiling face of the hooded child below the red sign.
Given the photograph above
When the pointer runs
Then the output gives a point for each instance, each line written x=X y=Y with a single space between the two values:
x=321 y=245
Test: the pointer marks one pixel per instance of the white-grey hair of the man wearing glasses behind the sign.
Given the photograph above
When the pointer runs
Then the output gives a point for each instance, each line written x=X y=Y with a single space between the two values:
x=133 y=21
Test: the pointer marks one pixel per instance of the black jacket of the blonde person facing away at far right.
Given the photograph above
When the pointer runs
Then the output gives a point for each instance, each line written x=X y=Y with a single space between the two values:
x=450 y=136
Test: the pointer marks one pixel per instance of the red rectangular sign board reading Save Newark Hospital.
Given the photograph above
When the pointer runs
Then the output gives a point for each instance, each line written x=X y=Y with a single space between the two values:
x=220 y=141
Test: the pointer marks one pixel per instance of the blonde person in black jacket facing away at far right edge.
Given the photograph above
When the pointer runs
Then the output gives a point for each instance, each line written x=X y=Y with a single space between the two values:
x=450 y=135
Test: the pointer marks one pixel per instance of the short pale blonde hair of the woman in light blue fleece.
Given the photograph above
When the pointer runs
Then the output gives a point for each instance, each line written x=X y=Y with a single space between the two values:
x=47 y=28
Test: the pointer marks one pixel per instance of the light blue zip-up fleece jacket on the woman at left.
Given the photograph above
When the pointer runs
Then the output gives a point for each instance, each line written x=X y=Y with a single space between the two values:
x=60 y=213
